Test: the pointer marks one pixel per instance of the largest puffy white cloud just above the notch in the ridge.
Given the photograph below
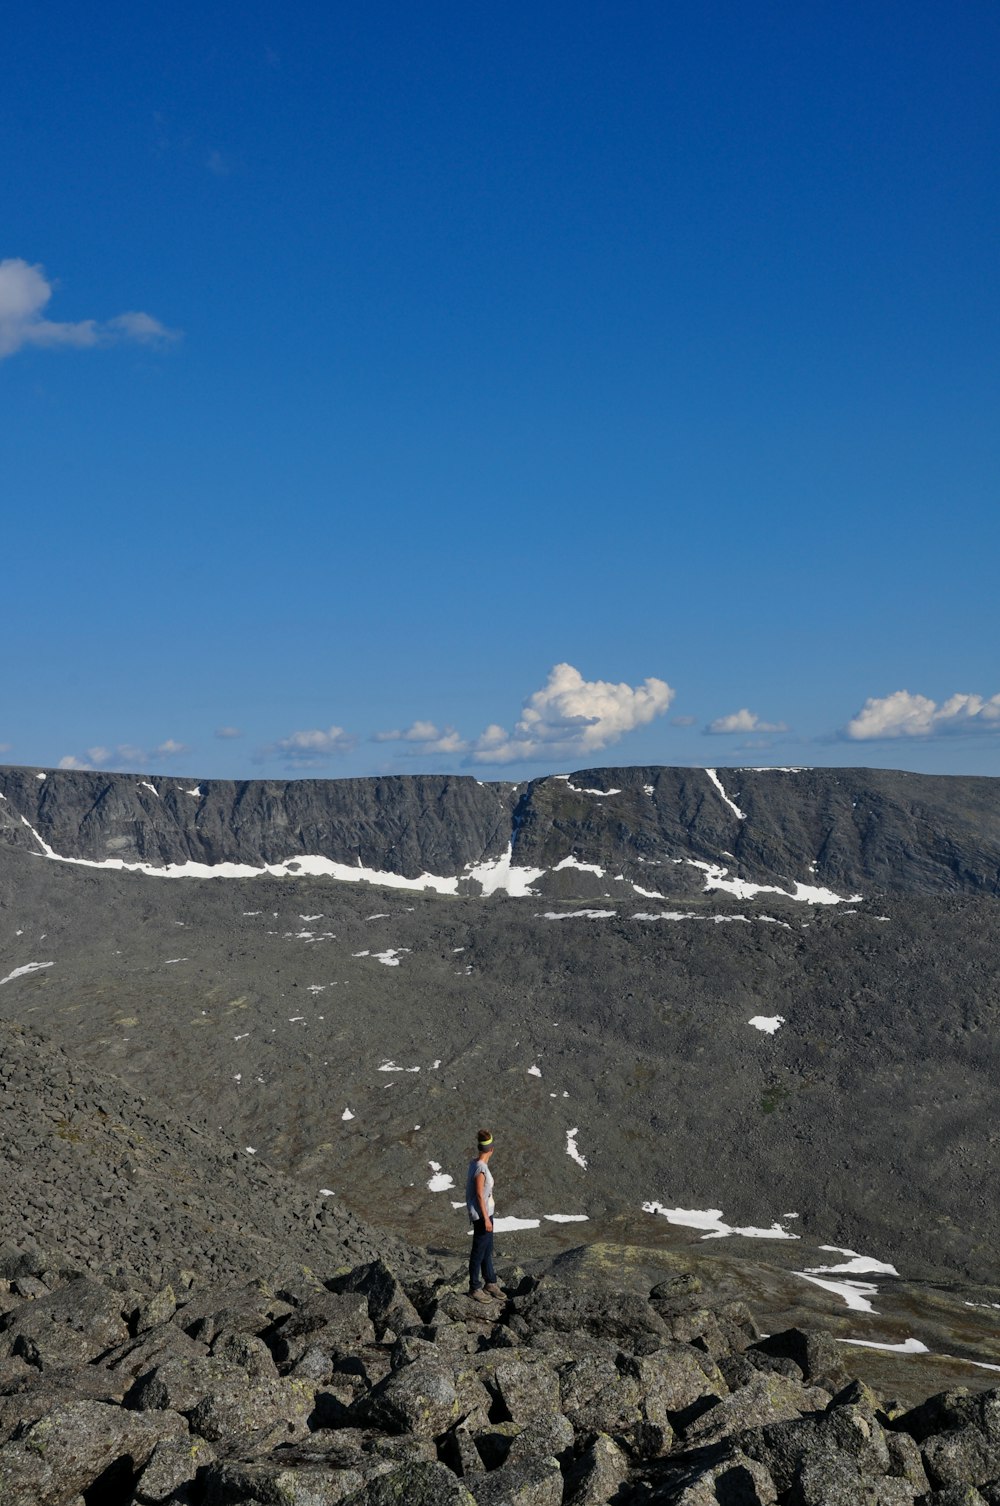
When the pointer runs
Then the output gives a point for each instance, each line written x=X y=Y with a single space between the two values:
x=573 y=716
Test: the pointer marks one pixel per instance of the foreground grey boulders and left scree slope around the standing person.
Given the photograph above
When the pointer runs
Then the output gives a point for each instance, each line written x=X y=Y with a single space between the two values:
x=181 y=1328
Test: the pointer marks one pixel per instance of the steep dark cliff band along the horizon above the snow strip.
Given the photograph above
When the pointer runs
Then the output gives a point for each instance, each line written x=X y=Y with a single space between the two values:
x=843 y=829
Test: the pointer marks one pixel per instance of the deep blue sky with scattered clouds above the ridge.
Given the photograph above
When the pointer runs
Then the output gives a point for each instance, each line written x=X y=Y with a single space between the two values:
x=547 y=386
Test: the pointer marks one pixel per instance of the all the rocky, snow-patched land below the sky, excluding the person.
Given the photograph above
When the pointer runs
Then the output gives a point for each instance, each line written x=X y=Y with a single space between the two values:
x=246 y=1032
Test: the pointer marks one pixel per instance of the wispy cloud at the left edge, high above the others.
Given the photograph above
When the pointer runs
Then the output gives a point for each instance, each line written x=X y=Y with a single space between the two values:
x=25 y=293
